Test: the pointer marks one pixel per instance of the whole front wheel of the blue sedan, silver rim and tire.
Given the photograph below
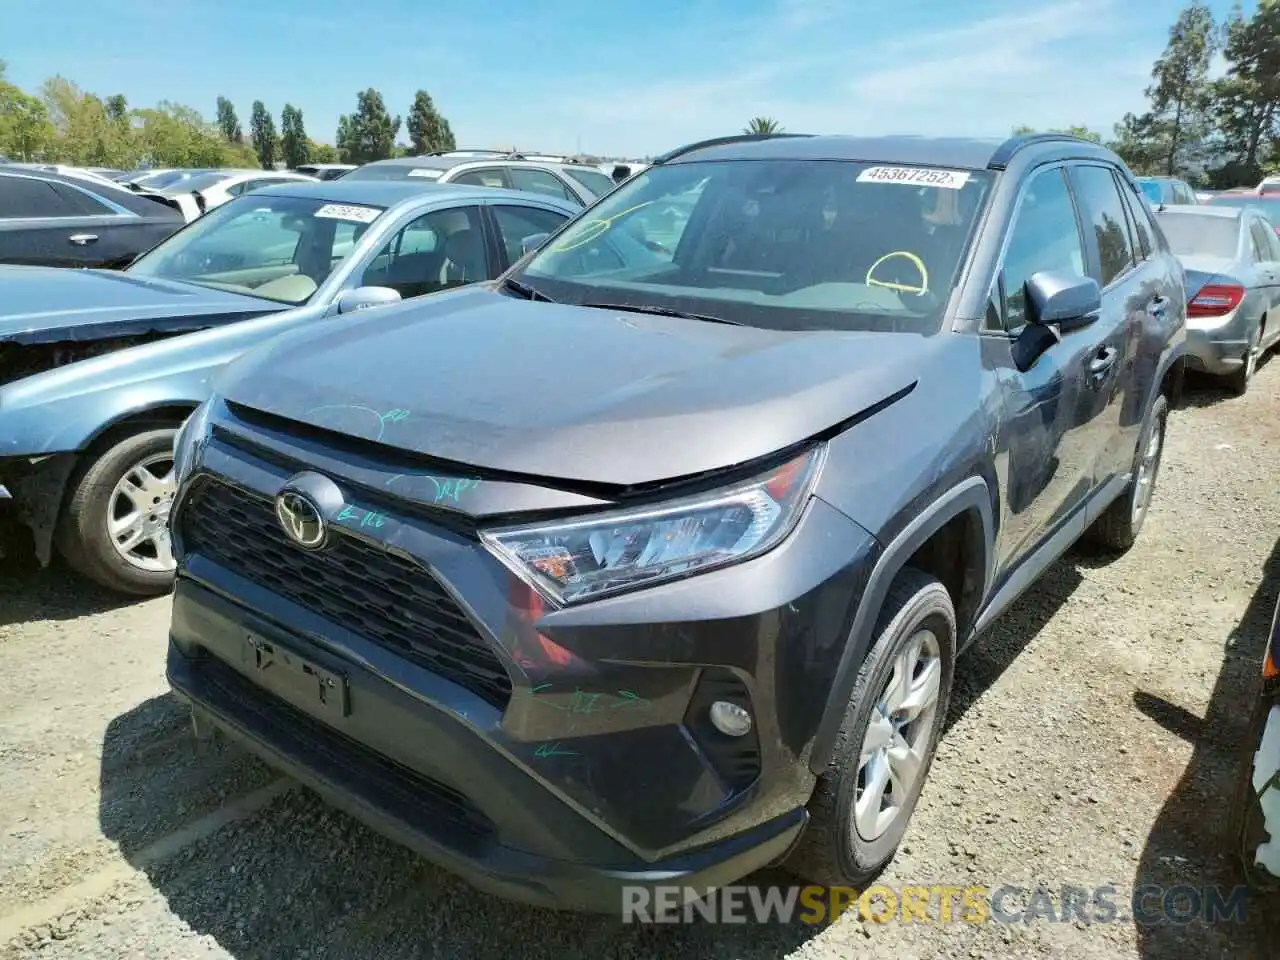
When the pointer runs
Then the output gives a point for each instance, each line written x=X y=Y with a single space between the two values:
x=116 y=527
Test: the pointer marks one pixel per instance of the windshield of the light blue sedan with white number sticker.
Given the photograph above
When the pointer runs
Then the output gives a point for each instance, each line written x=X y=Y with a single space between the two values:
x=280 y=249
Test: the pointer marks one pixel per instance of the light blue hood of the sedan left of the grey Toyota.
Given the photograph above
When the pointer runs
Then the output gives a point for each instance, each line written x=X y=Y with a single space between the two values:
x=48 y=305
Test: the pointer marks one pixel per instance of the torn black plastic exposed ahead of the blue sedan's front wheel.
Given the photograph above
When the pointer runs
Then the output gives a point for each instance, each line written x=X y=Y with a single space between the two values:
x=31 y=497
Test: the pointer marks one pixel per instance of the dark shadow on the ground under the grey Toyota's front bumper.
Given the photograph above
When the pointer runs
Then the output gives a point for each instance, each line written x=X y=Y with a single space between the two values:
x=301 y=880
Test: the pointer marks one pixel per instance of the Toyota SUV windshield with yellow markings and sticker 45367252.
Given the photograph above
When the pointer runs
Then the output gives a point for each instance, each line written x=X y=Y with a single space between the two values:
x=778 y=244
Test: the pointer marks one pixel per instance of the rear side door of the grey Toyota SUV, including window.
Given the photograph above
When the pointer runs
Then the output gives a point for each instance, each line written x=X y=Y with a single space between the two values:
x=1132 y=286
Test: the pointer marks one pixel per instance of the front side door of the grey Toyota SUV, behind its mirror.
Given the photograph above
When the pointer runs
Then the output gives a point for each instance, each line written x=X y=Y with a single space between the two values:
x=1045 y=380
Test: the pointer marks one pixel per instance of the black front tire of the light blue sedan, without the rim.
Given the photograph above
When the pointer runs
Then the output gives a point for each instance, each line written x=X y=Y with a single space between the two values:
x=83 y=537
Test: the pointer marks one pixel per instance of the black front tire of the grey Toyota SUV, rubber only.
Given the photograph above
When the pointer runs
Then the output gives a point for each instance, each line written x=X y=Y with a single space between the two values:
x=833 y=852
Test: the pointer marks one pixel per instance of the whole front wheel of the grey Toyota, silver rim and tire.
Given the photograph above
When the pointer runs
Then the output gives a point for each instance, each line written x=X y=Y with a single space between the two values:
x=863 y=801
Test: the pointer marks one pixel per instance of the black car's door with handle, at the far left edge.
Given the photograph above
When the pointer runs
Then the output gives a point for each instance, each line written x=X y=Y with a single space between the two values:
x=53 y=225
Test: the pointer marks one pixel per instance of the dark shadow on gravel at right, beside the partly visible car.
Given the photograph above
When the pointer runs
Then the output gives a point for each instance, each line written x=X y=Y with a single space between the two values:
x=1192 y=843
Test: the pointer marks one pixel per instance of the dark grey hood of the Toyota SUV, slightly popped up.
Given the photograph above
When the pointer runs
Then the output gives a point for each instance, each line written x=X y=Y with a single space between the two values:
x=572 y=394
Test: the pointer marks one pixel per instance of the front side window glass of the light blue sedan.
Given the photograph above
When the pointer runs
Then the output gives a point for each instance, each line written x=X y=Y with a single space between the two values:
x=433 y=253
